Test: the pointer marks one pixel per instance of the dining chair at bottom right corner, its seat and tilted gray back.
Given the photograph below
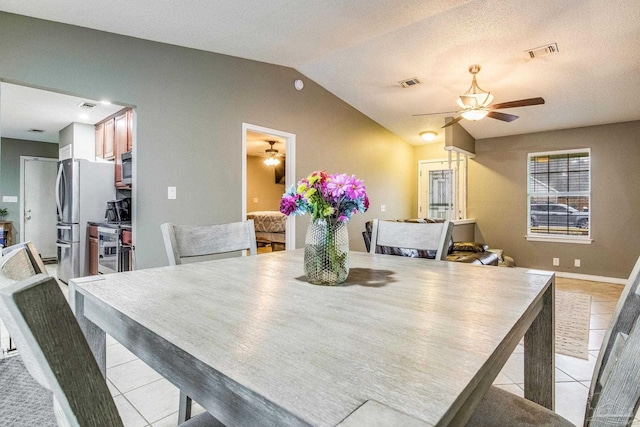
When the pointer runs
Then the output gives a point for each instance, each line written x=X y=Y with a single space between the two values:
x=615 y=387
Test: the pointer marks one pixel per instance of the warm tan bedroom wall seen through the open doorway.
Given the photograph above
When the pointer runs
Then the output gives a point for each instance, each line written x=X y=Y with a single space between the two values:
x=261 y=184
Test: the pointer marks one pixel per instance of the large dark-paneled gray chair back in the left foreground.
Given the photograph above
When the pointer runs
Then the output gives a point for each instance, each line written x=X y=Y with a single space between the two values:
x=55 y=351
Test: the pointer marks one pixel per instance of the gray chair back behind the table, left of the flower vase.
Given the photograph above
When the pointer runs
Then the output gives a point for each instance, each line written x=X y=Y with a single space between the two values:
x=183 y=241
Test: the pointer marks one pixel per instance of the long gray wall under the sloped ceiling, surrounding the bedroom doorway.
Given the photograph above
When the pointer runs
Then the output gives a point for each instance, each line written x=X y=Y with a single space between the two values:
x=190 y=107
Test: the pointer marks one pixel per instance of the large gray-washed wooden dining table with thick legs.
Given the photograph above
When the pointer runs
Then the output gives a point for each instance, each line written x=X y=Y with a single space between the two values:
x=403 y=341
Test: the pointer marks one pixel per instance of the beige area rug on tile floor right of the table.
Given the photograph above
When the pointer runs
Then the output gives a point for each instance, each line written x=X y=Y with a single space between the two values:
x=573 y=313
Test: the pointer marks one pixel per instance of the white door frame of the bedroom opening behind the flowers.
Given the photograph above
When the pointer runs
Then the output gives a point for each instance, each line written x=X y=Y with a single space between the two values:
x=290 y=173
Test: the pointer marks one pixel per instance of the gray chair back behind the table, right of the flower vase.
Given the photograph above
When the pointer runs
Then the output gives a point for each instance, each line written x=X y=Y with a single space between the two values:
x=408 y=235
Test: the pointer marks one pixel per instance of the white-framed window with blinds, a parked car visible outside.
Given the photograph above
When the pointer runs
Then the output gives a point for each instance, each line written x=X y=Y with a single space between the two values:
x=559 y=196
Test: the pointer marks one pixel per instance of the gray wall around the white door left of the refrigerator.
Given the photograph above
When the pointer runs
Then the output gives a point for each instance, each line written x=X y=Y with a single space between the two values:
x=11 y=150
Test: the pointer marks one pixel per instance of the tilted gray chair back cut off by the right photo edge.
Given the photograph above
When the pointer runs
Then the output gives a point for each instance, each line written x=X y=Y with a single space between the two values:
x=615 y=388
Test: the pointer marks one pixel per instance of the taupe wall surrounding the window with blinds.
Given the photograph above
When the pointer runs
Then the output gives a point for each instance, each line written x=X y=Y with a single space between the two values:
x=498 y=198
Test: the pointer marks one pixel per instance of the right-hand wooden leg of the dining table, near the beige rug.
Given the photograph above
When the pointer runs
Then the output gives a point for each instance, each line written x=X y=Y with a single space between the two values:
x=539 y=354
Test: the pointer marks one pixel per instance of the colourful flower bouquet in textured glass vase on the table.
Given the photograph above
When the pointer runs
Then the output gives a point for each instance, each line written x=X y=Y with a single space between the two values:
x=331 y=200
